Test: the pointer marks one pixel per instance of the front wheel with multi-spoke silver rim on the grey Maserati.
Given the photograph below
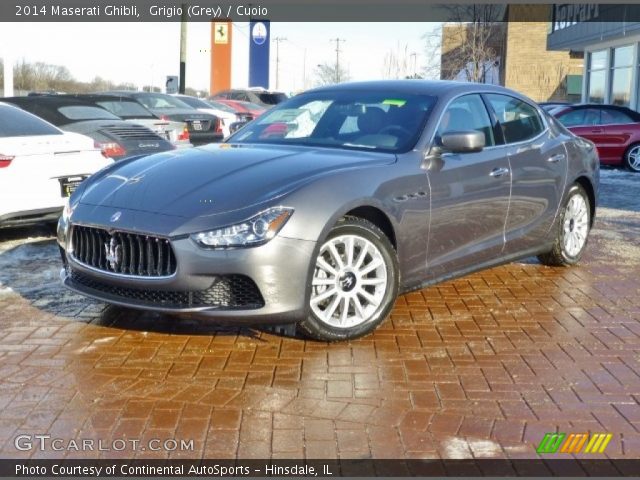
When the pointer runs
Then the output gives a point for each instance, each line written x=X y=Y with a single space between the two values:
x=354 y=282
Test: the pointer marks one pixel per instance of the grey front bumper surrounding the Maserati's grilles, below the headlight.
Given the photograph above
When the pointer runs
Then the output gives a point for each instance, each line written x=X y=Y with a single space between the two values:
x=279 y=270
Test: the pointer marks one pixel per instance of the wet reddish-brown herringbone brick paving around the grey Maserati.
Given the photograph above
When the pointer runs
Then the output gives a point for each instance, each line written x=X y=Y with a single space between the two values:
x=479 y=367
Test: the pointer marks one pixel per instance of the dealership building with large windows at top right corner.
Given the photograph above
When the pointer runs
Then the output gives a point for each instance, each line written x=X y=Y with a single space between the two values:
x=609 y=36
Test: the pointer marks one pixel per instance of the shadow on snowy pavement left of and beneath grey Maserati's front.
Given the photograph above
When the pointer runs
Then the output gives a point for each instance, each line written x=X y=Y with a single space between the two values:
x=30 y=268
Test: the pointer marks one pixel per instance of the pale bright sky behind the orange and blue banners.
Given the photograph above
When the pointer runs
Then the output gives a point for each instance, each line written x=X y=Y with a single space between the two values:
x=145 y=53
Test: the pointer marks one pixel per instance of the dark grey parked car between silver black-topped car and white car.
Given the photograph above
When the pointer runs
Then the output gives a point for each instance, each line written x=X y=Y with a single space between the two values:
x=203 y=127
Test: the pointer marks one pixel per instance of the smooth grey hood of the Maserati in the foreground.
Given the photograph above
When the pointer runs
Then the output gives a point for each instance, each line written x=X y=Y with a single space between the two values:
x=217 y=178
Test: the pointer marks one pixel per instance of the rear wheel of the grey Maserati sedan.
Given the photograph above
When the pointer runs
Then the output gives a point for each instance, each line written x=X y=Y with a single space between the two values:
x=572 y=230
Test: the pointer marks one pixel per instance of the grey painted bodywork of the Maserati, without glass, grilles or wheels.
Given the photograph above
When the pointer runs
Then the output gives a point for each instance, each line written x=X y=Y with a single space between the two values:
x=445 y=217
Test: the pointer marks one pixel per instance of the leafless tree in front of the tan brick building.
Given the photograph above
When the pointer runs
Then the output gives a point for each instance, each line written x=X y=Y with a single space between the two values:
x=471 y=44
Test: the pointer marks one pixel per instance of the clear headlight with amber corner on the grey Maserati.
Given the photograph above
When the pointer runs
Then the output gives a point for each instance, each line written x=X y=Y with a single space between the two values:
x=255 y=231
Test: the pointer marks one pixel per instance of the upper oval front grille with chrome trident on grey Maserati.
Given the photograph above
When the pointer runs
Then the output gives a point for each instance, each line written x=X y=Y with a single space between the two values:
x=123 y=253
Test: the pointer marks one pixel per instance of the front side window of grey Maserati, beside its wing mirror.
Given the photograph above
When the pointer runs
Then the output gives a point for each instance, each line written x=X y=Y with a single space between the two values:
x=465 y=114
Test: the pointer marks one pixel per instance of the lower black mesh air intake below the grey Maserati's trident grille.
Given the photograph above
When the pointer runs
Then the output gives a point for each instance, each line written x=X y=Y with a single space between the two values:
x=229 y=292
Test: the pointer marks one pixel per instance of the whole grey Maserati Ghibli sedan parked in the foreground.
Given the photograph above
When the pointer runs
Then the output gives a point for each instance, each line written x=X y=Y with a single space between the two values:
x=327 y=207
